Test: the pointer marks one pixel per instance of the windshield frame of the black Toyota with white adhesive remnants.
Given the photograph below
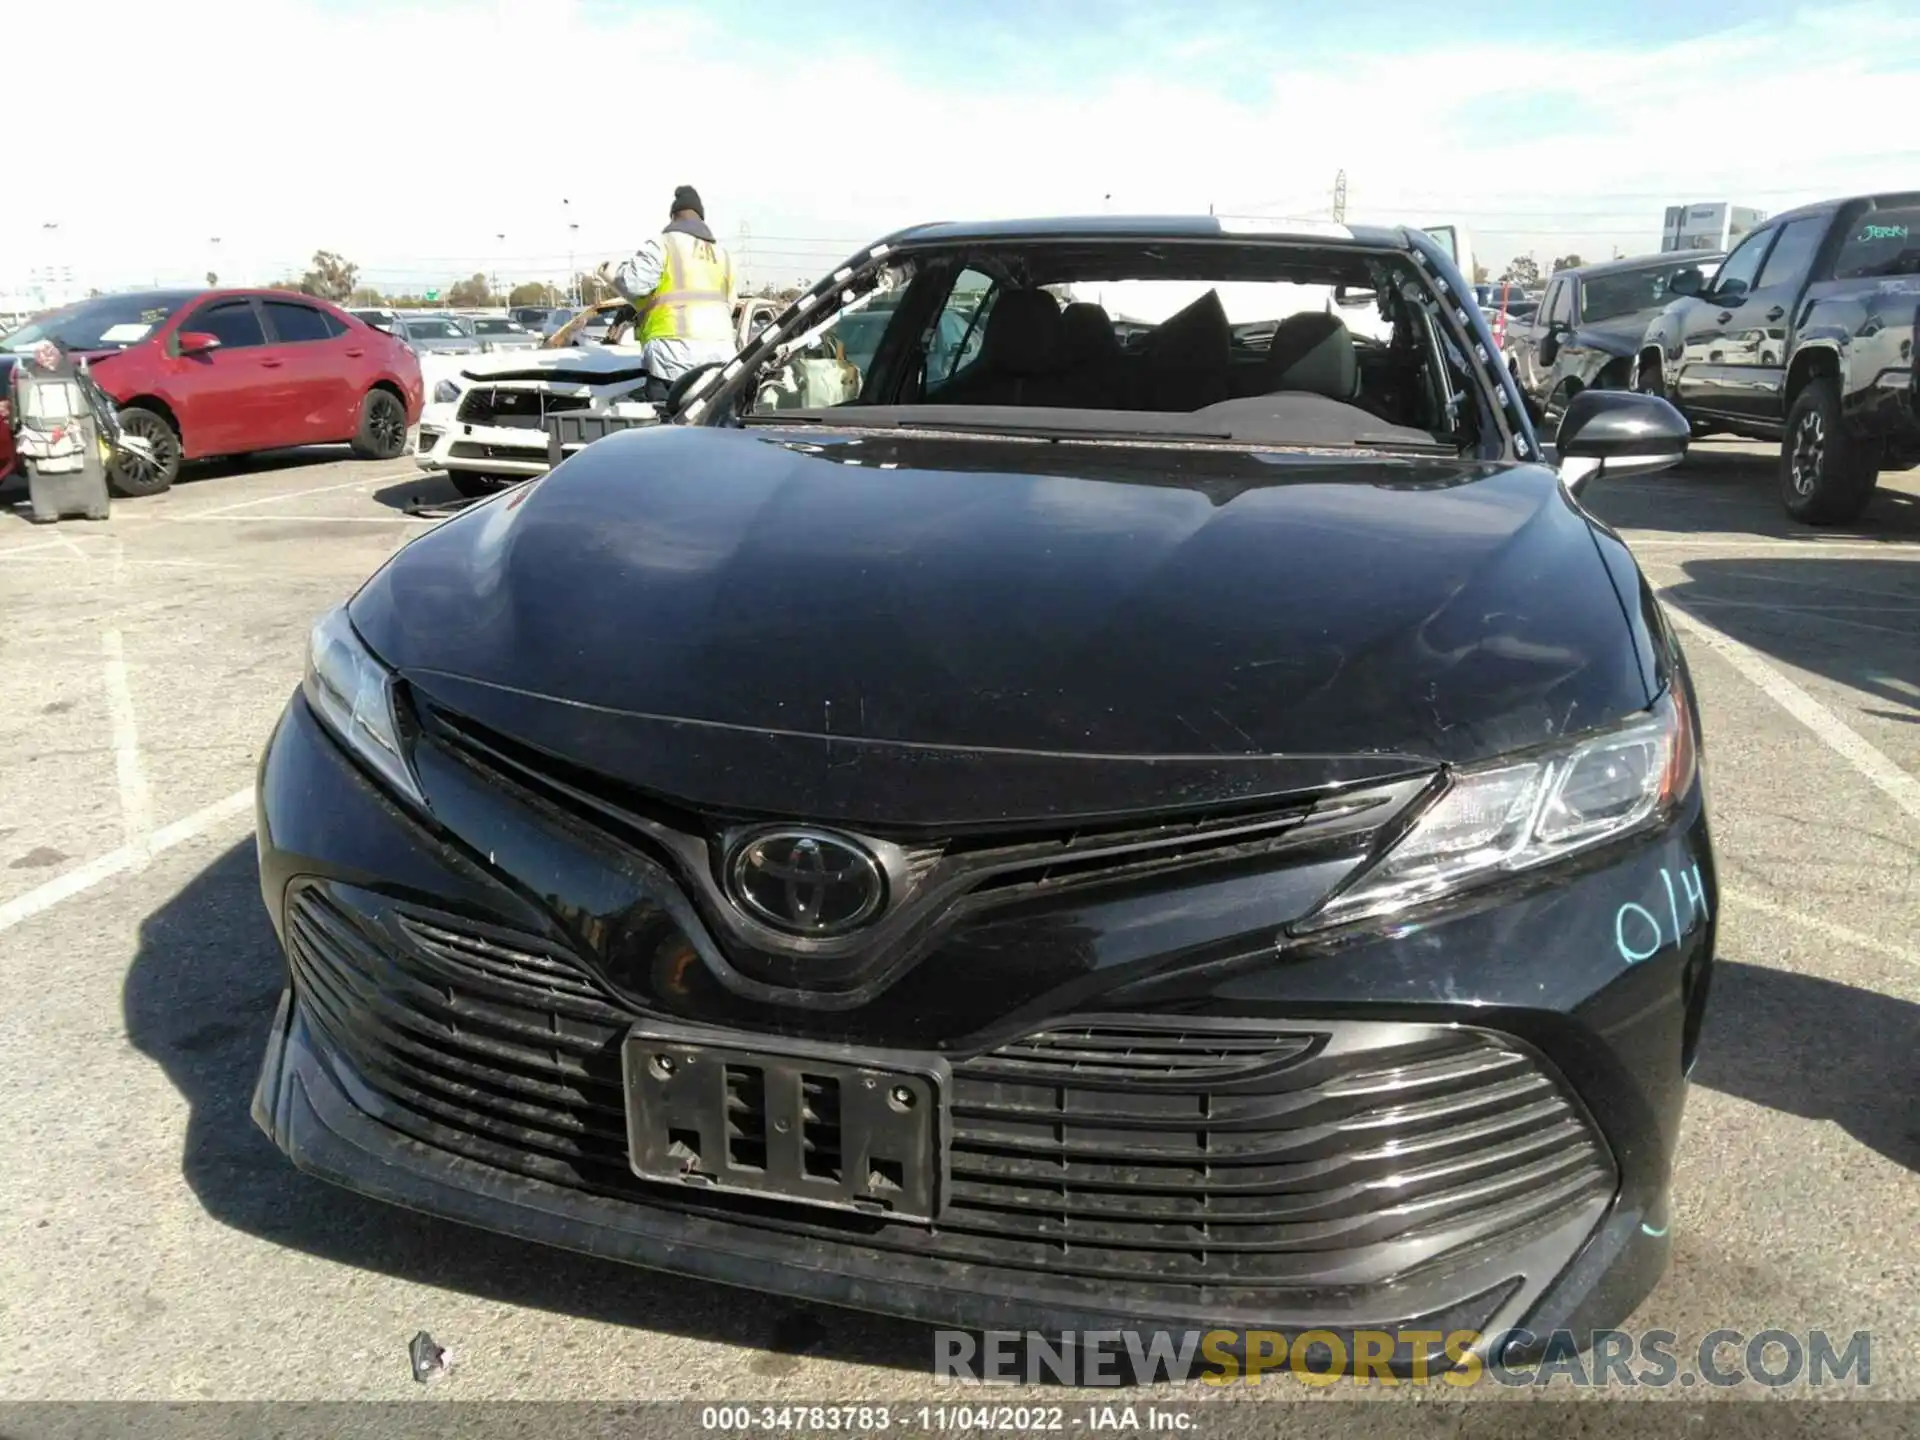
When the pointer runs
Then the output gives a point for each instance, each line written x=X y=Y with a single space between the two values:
x=719 y=398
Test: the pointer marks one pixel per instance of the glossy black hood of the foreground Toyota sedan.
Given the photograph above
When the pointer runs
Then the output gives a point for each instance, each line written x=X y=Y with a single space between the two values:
x=965 y=631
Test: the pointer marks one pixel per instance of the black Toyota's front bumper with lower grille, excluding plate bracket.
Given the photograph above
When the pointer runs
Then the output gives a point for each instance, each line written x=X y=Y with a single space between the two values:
x=1529 y=992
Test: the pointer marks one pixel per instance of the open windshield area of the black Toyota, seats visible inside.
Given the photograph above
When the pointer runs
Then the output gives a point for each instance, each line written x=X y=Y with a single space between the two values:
x=1264 y=343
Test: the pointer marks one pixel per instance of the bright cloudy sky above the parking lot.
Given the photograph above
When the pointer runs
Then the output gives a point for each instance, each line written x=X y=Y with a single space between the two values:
x=433 y=139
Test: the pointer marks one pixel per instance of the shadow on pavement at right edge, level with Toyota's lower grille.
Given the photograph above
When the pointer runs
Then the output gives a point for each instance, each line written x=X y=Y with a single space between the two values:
x=1817 y=1049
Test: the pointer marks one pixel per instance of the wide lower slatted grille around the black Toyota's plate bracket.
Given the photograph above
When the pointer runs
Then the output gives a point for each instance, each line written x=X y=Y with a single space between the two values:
x=1226 y=1163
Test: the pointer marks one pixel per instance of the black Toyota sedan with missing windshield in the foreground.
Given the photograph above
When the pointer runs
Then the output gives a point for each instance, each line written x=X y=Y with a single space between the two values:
x=1132 y=796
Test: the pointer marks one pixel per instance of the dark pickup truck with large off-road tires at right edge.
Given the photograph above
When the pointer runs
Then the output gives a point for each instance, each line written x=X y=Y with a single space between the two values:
x=1806 y=335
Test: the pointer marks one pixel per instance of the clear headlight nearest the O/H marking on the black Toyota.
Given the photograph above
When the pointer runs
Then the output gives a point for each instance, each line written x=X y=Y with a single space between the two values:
x=1520 y=813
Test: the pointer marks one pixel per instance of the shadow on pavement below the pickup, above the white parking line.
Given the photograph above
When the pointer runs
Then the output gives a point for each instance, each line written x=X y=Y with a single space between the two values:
x=1850 y=619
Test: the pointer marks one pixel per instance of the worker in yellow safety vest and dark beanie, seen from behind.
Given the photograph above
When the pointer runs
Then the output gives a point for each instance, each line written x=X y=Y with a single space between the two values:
x=683 y=291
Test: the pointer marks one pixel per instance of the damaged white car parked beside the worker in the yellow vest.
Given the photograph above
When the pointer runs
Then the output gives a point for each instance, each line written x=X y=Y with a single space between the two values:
x=487 y=427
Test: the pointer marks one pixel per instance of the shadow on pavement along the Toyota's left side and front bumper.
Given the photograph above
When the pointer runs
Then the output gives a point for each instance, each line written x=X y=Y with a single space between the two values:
x=199 y=1001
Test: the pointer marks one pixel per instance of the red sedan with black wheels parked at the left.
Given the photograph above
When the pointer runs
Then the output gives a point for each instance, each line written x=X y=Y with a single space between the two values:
x=204 y=373
